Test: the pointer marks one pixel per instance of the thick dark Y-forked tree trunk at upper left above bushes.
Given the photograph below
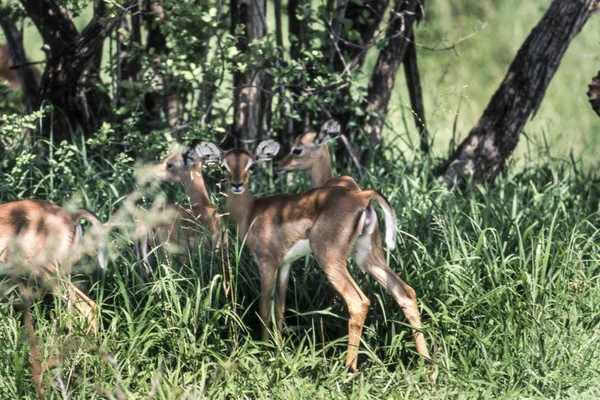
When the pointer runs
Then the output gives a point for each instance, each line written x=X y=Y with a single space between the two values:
x=69 y=54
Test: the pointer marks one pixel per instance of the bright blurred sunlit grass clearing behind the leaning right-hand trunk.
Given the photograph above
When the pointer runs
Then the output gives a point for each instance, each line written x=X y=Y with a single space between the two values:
x=471 y=74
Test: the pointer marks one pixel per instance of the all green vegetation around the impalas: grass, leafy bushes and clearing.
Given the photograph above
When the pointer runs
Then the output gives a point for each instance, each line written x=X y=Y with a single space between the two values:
x=506 y=276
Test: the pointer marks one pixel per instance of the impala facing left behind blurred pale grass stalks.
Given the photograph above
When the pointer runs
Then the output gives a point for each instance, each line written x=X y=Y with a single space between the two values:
x=186 y=227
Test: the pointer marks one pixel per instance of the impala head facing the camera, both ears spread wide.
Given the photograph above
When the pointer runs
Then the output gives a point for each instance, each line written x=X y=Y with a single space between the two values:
x=238 y=164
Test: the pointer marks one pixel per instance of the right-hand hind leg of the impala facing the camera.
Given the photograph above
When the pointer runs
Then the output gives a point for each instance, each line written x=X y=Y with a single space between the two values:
x=368 y=253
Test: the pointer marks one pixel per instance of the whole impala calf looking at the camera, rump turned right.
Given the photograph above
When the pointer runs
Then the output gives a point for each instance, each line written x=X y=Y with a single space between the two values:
x=331 y=222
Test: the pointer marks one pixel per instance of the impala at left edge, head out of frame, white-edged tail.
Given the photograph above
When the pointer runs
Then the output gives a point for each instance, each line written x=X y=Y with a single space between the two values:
x=46 y=240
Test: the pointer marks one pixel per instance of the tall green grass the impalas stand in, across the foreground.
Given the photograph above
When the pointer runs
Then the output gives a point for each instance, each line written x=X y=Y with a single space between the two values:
x=507 y=280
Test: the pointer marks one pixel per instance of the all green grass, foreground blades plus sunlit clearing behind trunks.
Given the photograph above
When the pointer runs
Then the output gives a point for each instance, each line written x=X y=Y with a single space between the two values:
x=506 y=276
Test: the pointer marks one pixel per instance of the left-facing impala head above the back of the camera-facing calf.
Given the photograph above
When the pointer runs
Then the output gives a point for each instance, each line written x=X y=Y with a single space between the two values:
x=308 y=147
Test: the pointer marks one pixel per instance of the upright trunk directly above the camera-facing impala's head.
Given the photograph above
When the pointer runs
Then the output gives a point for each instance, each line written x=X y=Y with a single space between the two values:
x=247 y=84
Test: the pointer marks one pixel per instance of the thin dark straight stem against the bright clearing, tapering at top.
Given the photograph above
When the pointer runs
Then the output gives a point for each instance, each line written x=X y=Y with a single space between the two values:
x=413 y=81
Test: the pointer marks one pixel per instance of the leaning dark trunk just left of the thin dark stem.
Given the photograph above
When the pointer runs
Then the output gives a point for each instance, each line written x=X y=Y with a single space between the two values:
x=400 y=28
